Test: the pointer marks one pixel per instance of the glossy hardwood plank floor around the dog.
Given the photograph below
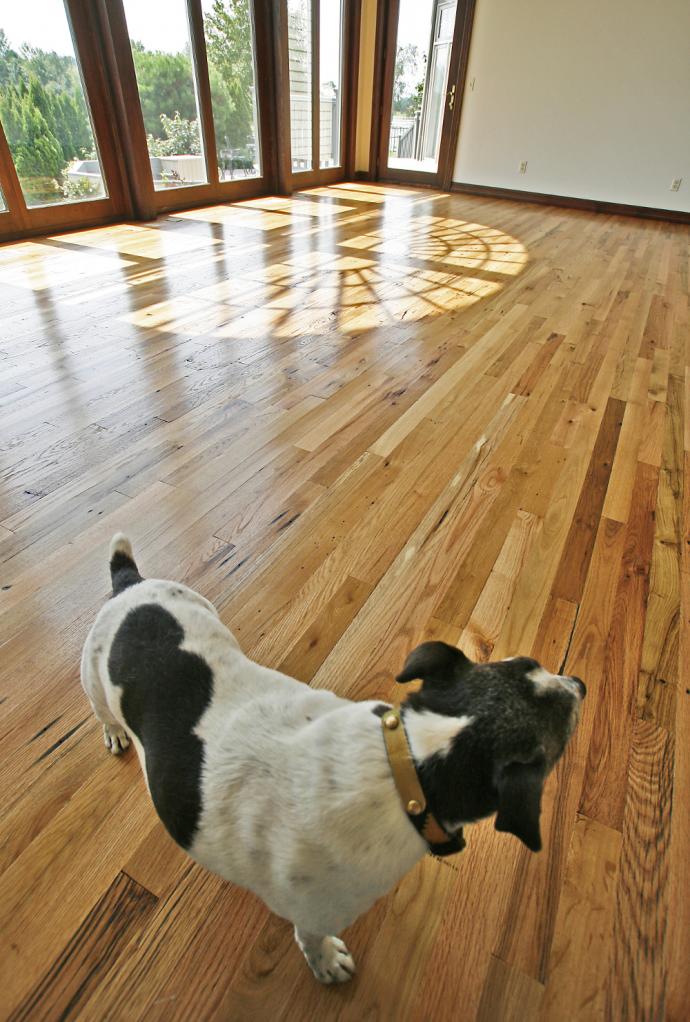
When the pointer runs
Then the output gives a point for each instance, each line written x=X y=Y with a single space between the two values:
x=355 y=420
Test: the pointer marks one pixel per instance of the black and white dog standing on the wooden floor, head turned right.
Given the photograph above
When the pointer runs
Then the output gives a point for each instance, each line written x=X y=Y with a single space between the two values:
x=290 y=791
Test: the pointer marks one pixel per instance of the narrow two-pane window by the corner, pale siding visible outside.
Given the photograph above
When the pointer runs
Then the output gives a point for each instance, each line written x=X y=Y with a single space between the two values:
x=316 y=31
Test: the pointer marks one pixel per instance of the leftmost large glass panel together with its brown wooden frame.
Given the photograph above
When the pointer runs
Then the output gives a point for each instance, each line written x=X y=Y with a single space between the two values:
x=56 y=168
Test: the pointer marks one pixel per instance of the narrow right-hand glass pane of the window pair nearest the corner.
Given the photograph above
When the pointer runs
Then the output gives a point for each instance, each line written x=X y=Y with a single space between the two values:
x=331 y=86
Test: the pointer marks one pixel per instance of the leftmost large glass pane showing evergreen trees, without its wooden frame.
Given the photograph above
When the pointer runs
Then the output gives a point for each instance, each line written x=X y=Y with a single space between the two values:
x=43 y=107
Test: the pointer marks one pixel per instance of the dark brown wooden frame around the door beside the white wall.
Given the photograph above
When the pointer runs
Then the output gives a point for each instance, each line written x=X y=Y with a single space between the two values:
x=385 y=63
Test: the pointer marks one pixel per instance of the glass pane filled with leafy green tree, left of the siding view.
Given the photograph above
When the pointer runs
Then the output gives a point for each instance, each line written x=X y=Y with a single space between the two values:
x=229 y=32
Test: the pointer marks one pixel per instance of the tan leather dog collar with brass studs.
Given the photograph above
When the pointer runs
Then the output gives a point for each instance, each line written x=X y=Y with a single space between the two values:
x=410 y=789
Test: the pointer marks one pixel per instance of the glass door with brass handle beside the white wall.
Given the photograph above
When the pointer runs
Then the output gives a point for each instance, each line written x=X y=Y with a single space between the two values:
x=421 y=83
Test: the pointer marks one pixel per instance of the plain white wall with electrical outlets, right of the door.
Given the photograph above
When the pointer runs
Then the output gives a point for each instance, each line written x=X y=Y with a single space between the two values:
x=594 y=95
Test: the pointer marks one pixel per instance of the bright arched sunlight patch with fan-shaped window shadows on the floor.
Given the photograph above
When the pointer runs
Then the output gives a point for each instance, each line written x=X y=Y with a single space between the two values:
x=410 y=267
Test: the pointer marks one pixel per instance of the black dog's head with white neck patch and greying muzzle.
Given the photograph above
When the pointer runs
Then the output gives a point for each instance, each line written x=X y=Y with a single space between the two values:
x=515 y=720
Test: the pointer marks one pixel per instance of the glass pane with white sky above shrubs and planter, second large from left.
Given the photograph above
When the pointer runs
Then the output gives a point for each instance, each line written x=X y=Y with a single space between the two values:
x=167 y=80
